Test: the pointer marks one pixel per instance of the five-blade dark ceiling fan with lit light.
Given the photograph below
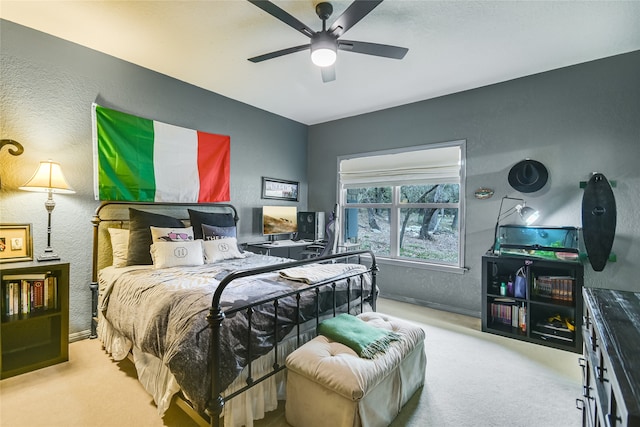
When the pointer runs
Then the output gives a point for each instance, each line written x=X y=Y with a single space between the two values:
x=325 y=43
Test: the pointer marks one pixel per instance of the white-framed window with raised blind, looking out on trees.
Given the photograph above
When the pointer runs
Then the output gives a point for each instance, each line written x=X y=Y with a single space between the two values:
x=405 y=205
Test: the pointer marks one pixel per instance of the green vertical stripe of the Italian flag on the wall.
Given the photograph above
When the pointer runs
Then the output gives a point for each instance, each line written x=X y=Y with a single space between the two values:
x=125 y=156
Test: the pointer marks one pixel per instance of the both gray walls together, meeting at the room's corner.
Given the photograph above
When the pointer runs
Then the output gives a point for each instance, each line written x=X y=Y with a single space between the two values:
x=574 y=120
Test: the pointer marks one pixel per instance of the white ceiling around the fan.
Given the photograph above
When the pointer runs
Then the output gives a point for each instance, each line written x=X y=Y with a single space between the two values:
x=453 y=46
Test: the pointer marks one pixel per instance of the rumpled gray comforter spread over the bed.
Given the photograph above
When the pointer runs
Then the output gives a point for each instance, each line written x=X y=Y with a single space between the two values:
x=163 y=312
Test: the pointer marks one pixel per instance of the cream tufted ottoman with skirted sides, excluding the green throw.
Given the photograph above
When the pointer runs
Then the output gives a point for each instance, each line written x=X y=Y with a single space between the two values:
x=328 y=384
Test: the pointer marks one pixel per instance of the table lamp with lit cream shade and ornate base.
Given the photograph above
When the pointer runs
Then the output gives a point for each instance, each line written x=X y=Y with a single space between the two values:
x=48 y=178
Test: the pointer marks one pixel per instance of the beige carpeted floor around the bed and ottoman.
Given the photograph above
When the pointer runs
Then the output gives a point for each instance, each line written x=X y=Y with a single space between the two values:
x=473 y=379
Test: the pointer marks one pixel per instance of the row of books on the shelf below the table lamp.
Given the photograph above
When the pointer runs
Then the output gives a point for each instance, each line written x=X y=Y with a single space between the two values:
x=29 y=293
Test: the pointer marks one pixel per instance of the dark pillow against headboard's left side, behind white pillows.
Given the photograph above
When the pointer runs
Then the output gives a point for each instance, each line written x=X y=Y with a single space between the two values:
x=140 y=234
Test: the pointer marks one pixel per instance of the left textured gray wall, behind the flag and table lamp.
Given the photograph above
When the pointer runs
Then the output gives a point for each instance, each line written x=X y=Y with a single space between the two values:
x=47 y=86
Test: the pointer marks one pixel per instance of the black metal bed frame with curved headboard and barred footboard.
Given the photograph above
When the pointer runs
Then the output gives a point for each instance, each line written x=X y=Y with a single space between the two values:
x=217 y=315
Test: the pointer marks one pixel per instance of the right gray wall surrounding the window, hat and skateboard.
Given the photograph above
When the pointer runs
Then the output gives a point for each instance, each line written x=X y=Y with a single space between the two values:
x=575 y=120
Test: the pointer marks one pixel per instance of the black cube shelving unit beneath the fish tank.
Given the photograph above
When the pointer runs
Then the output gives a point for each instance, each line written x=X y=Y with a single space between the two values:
x=552 y=303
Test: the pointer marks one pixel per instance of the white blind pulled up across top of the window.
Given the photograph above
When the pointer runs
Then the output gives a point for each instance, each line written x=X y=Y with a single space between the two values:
x=426 y=165
